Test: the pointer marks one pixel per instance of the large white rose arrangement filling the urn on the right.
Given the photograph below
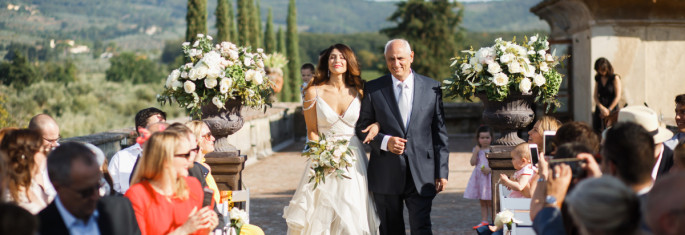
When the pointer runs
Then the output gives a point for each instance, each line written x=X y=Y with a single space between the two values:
x=507 y=67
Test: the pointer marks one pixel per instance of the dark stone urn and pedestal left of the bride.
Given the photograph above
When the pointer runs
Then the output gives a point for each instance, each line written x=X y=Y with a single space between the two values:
x=226 y=161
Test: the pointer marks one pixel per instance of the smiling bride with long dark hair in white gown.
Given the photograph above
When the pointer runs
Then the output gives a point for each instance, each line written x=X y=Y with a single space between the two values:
x=331 y=108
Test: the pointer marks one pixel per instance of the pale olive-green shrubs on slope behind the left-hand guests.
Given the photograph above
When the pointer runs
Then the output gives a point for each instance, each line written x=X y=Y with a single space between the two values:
x=83 y=107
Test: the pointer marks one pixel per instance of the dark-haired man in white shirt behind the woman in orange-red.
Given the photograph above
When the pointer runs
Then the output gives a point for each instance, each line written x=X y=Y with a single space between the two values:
x=121 y=165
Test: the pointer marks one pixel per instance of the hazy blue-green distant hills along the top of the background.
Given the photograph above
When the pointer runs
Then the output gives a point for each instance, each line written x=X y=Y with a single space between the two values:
x=141 y=24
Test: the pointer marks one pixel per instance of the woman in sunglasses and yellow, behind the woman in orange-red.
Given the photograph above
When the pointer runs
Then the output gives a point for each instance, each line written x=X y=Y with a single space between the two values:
x=205 y=140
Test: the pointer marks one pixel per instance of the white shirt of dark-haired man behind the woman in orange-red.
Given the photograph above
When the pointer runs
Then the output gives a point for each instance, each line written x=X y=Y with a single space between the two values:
x=121 y=167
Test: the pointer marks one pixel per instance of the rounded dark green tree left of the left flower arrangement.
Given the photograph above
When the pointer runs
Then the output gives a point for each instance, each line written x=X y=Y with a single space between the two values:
x=134 y=68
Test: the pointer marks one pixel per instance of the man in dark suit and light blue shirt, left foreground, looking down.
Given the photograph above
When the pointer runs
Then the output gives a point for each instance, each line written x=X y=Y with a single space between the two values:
x=78 y=208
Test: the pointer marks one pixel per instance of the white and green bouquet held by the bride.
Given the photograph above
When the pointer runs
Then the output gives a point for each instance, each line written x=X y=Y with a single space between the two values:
x=328 y=157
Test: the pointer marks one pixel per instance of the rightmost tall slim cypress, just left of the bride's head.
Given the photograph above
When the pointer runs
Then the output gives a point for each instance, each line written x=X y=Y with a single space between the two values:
x=293 y=49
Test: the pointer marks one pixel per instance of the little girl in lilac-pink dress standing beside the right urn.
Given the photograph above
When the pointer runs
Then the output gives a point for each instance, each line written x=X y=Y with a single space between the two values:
x=479 y=183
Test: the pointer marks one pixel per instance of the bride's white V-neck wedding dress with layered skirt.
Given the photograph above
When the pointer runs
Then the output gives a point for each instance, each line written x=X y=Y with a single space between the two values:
x=339 y=206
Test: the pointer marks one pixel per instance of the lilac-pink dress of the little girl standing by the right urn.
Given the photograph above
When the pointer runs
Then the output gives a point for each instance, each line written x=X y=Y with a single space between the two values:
x=479 y=183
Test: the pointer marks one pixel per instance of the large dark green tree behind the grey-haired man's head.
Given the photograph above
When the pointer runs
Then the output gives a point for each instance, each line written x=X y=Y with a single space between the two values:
x=431 y=28
